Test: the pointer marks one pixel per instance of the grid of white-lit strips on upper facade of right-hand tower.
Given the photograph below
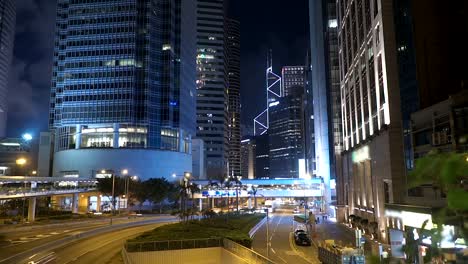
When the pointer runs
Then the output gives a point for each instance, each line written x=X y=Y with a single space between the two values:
x=379 y=116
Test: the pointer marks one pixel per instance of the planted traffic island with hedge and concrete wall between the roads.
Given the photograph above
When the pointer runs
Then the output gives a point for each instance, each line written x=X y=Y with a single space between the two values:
x=214 y=240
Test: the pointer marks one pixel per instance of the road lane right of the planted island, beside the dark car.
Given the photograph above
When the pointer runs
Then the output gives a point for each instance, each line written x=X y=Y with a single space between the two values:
x=282 y=247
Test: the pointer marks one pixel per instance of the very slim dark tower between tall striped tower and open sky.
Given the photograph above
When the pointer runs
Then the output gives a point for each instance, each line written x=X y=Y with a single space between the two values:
x=233 y=51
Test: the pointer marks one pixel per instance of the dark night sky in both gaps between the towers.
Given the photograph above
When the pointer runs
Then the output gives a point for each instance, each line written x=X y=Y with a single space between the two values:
x=265 y=24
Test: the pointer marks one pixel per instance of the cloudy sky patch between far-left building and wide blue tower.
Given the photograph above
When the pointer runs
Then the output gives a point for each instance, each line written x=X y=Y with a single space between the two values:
x=30 y=73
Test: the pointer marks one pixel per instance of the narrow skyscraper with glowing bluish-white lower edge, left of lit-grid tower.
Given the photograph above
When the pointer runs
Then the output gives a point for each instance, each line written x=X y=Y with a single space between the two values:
x=327 y=87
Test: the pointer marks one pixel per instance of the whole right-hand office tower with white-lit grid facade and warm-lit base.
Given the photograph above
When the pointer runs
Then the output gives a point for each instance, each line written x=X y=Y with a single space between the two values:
x=373 y=160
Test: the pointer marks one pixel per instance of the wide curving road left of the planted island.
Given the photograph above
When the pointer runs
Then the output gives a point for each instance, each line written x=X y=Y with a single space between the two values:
x=42 y=241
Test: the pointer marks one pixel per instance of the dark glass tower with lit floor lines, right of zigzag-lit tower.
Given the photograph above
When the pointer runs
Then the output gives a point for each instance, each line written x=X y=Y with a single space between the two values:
x=286 y=134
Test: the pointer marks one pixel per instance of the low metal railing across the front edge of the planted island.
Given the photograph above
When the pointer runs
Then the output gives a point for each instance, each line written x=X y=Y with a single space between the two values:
x=173 y=244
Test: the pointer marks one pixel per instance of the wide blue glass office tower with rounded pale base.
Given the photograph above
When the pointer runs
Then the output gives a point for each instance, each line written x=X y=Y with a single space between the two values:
x=123 y=87
